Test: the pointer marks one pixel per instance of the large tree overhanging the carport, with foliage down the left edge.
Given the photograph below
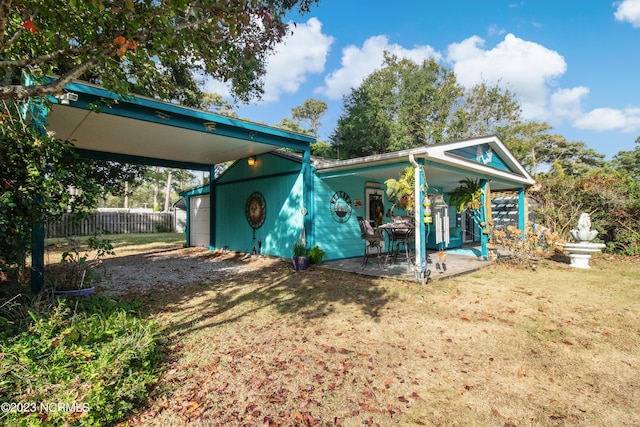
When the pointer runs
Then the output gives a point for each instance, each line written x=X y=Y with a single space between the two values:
x=152 y=47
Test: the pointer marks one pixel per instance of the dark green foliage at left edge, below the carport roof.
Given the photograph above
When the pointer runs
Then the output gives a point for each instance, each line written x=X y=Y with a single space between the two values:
x=37 y=172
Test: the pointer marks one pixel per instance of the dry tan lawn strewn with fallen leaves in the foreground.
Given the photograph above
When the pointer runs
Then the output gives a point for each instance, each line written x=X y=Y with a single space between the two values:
x=504 y=346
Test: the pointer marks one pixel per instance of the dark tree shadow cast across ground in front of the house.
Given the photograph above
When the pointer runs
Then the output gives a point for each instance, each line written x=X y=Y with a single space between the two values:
x=242 y=289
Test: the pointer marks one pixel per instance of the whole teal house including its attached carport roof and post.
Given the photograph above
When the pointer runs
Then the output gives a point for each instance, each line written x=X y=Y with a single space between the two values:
x=270 y=198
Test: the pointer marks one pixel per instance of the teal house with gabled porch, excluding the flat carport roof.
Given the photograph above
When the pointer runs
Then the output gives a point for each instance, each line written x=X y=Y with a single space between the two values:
x=264 y=204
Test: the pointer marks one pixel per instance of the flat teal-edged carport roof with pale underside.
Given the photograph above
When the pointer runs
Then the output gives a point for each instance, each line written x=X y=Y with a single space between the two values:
x=143 y=130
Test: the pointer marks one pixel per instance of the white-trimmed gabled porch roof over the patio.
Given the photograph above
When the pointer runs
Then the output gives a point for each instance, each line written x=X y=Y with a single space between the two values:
x=444 y=164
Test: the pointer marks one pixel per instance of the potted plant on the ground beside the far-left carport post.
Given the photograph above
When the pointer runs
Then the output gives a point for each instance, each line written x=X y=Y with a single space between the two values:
x=77 y=272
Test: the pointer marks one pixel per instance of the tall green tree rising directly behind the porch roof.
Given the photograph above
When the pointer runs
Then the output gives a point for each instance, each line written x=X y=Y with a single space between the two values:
x=402 y=105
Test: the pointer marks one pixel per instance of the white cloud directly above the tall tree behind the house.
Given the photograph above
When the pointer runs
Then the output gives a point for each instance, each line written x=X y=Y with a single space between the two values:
x=359 y=62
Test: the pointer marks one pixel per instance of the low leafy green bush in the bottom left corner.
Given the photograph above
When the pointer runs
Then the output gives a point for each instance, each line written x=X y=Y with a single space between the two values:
x=98 y=359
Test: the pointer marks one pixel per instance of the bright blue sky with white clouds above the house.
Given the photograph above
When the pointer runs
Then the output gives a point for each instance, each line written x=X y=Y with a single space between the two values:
x=574 y=64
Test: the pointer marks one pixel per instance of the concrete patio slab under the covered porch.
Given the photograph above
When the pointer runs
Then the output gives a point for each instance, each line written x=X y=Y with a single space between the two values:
x=458 y=261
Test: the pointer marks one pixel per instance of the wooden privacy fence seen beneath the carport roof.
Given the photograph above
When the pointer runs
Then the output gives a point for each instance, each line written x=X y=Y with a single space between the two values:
x=112 y=222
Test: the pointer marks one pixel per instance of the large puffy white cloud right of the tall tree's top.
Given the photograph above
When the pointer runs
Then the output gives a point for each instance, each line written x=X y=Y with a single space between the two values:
x=526 y=68
